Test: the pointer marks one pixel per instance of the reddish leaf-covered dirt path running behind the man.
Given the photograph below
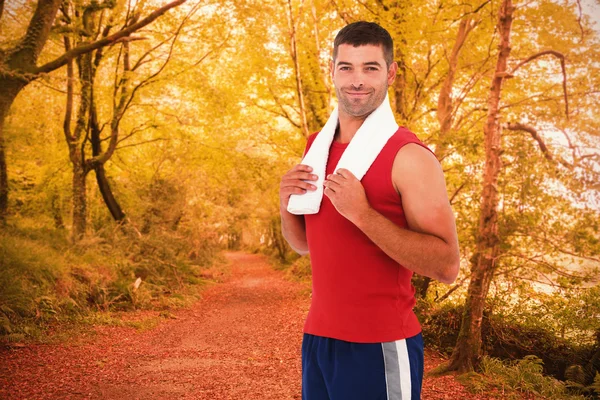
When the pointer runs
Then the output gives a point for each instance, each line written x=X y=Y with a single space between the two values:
x=241 y=341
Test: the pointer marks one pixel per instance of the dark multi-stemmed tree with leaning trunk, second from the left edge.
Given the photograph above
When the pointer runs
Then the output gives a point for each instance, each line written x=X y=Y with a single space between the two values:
x=87 y=127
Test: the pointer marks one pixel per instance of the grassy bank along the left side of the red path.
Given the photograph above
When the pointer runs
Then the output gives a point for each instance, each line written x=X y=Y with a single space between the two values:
x=45 y=281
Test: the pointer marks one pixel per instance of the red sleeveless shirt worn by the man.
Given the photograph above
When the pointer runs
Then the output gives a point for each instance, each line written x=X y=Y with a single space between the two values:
x=359 y=293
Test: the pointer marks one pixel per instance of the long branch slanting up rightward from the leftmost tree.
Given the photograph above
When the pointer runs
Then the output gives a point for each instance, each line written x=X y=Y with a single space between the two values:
x=86 y=48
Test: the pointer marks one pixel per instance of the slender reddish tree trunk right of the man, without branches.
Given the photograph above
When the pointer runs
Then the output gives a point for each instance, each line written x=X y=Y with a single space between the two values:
x=467 y=353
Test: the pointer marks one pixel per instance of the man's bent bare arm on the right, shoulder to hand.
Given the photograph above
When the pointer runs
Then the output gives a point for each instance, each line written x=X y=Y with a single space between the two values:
x=430 y=246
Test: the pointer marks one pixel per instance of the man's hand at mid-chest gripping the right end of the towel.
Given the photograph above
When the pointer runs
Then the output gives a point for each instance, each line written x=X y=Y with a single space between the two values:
x=346 y=194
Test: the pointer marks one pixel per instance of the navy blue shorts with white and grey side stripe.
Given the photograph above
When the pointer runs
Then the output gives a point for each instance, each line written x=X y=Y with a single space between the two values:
x=337 y=370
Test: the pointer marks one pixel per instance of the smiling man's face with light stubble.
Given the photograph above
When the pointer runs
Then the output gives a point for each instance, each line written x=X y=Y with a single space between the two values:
x=361 y=78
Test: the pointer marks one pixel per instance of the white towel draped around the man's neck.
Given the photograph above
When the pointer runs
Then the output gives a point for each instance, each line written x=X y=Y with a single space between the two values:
x=363 y=149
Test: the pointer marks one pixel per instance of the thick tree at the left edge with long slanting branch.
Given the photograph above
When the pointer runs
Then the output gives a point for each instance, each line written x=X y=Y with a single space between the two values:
x=18 y=66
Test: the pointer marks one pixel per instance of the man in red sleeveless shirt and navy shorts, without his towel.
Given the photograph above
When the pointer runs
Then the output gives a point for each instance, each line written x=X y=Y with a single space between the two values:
x=362 y=340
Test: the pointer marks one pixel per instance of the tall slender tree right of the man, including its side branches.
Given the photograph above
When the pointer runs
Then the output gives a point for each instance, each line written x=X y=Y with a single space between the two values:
x=497 y=241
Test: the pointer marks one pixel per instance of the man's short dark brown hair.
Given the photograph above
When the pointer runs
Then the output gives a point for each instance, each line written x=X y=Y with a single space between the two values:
x=362 y=33
